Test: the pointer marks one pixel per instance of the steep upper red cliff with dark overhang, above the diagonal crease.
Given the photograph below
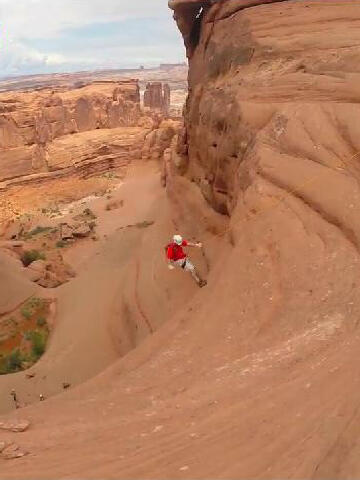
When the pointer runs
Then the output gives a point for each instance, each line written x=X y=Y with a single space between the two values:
x=271 y=100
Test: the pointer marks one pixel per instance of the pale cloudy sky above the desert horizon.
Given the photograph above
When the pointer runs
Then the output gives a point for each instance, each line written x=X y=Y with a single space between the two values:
x=41 y=36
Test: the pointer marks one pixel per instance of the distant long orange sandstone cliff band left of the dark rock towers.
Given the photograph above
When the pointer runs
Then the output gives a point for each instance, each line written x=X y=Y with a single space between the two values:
x=33 y=124
